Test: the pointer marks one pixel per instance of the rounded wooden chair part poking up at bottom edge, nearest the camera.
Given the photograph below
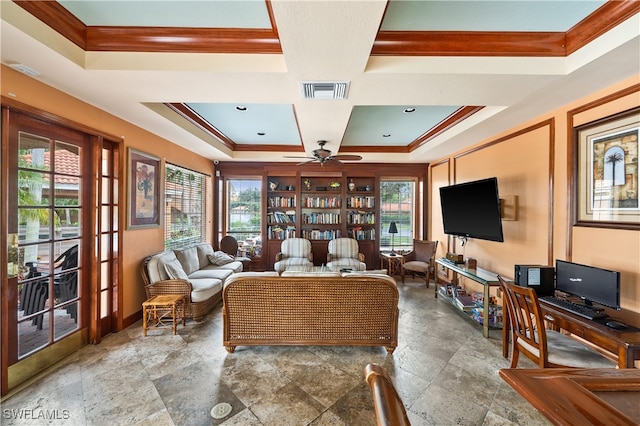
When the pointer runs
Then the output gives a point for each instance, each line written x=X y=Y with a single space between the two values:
x=388 y=406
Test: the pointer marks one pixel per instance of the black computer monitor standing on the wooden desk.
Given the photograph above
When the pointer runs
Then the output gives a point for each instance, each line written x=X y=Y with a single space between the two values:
x=589 y=283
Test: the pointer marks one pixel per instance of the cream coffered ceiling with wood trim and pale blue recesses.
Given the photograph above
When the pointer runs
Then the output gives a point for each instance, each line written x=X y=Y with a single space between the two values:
x=397 y=81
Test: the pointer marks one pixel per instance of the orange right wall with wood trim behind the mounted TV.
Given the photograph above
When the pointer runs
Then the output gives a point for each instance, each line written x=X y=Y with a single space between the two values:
x=531 y=162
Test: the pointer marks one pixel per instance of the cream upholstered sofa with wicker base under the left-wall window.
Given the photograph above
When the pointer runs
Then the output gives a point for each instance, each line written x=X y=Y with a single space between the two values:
x=198 y=272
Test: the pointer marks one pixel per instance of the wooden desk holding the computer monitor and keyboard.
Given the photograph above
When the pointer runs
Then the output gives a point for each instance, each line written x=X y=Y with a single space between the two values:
x=624 y=346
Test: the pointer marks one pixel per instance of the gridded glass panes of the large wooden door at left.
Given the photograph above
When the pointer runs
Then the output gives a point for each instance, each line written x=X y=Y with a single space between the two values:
x=49 y=211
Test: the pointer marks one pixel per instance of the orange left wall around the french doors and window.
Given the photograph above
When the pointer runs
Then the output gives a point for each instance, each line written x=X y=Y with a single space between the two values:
x=136 y=243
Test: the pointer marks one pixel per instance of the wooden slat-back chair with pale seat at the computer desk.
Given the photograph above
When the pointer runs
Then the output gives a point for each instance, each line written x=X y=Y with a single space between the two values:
x=547 y=348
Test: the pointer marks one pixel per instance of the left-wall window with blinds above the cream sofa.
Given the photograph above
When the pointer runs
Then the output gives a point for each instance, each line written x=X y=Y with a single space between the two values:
x=184 y=213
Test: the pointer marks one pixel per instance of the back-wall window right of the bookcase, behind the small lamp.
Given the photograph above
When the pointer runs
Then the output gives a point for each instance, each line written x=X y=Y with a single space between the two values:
x=397 y=205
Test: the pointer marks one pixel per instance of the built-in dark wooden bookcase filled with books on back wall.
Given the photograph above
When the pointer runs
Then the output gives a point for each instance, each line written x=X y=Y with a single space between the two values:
x=321 y=203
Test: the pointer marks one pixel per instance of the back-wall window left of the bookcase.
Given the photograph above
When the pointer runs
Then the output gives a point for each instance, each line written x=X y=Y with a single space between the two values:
x=244 y=211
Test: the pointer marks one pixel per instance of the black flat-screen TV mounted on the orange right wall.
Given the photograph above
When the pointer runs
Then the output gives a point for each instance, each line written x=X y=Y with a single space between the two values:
x=472 y=210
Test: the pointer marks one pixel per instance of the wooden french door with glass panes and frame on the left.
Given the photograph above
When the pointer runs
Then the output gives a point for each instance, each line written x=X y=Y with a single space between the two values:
x=60 y=289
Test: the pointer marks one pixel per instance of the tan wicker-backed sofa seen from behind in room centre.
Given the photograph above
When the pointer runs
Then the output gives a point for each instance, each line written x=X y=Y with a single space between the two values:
x=310 y=309
